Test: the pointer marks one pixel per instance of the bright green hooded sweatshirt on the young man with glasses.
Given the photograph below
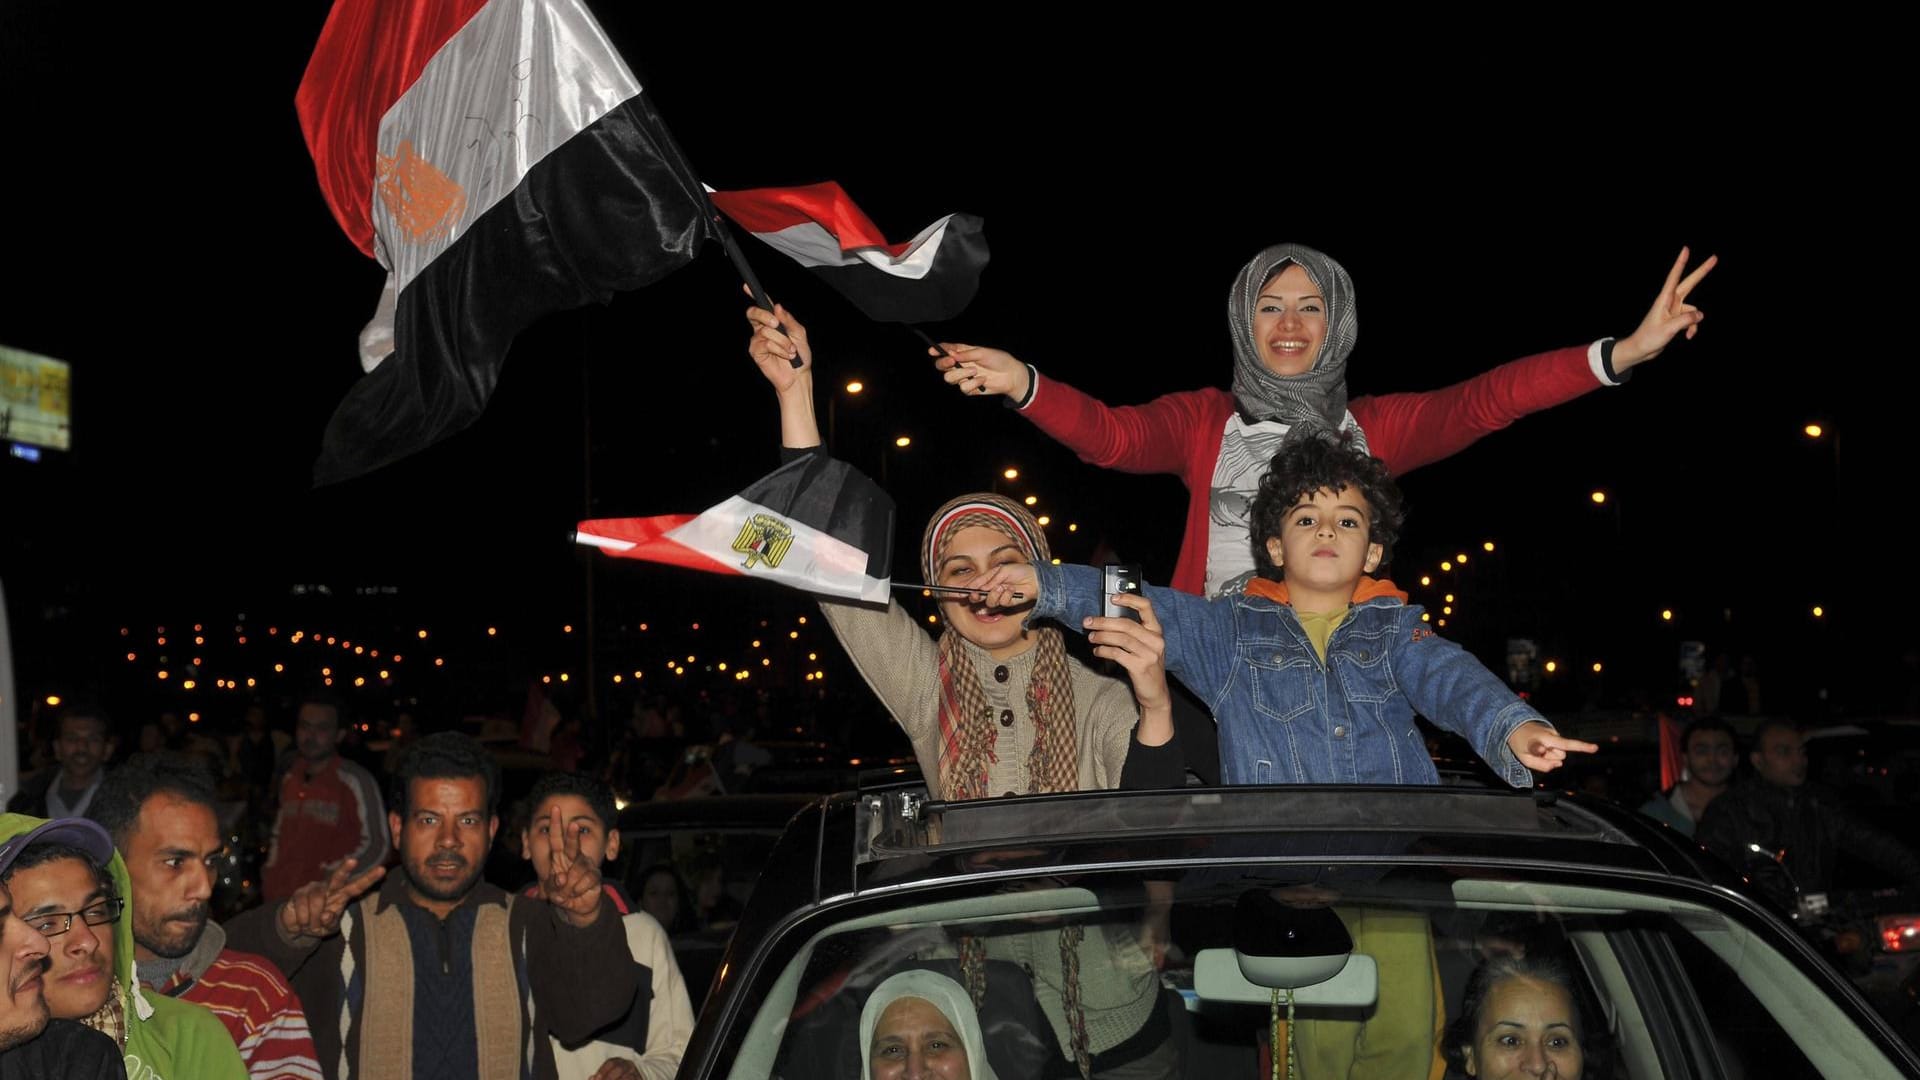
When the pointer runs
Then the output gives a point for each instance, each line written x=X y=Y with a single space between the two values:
x=166 y=1039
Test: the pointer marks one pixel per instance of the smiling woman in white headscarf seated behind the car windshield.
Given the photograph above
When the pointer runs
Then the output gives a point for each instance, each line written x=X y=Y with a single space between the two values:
x=921 y=1023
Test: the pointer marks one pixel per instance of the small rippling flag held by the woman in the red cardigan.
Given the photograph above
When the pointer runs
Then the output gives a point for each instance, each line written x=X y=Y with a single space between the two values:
x=926 y=280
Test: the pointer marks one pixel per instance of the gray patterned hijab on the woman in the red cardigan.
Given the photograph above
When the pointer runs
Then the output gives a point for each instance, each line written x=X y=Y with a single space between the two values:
x=1316 y=399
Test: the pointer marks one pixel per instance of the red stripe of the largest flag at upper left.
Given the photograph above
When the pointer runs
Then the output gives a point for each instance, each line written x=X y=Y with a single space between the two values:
x=368 y=57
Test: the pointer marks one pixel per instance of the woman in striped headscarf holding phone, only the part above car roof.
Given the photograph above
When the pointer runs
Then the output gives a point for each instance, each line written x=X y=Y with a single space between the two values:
x=994 y=708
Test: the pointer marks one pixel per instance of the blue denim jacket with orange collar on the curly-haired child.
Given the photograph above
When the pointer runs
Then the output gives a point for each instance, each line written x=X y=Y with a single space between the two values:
x=1285 y=718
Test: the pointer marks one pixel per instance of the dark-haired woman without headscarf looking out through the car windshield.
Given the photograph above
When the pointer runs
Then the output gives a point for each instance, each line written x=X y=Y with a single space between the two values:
x=1524 y=1018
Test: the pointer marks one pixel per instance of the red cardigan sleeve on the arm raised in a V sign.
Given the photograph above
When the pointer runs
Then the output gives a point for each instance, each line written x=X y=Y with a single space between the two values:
x=1418 y=430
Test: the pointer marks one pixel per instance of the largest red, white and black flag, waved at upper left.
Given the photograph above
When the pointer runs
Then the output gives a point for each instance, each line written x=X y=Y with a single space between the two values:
x=502 y=162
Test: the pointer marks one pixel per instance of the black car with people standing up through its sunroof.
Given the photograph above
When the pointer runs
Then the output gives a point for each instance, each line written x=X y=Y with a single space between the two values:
x=1220 y=933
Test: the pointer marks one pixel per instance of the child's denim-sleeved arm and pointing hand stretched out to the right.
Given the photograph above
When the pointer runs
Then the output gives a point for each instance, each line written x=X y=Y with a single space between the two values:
x=1447 y=685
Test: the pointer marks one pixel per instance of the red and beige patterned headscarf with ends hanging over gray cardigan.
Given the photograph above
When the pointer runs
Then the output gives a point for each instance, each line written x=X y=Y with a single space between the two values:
x=969 y=729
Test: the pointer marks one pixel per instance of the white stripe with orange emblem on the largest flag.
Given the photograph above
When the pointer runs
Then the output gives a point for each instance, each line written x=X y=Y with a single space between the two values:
x=514 y=86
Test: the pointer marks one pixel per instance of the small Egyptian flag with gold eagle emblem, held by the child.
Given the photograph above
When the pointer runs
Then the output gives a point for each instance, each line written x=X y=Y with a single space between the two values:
x=815 y=524
